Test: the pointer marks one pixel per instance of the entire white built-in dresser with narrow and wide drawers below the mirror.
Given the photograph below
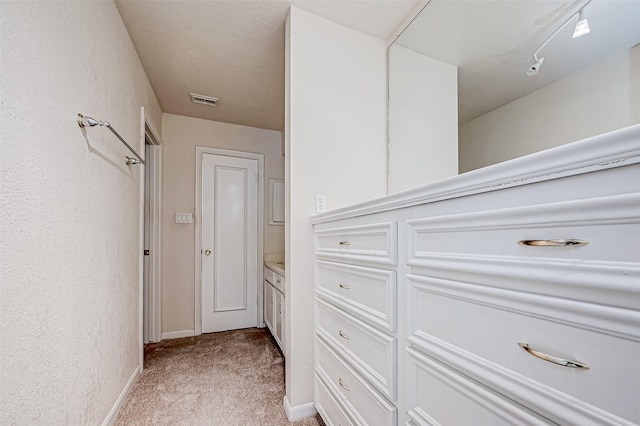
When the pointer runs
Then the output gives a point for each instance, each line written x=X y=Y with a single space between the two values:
x=507 y=295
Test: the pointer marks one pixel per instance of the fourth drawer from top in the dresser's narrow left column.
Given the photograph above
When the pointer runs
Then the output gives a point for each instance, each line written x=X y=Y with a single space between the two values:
x=361 y=398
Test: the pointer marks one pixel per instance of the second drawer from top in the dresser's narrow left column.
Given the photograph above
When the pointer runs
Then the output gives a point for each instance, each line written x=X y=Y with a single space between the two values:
x=367 y=293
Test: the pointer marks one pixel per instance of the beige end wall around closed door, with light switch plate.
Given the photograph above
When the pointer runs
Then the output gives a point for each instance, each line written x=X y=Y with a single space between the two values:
x=181 y=135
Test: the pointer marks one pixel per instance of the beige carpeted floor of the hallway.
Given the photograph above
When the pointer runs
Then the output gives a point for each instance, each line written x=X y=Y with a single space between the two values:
x=229 y=378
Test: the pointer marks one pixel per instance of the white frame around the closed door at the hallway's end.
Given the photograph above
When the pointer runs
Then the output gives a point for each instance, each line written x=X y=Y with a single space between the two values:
x=200 y=151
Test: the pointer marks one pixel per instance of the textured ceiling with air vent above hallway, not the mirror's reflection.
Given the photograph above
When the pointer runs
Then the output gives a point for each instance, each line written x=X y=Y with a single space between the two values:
x=234 y=50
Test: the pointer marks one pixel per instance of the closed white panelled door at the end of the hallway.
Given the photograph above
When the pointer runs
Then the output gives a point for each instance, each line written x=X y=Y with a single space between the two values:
x=229 y=243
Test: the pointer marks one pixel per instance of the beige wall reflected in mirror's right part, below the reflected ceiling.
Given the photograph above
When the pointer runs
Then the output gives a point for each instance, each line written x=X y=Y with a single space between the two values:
x=598 y=99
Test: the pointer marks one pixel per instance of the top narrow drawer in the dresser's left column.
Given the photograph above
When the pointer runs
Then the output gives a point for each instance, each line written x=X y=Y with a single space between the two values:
x=375 y=244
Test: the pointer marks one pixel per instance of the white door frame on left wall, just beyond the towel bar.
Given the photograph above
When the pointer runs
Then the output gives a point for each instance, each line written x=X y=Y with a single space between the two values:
x=154 y=299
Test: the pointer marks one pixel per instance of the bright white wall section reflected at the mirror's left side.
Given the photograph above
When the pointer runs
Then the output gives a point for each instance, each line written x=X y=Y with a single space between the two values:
x=423 y=119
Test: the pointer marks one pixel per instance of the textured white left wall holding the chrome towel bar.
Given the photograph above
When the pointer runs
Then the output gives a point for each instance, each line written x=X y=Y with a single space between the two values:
x=70 y=208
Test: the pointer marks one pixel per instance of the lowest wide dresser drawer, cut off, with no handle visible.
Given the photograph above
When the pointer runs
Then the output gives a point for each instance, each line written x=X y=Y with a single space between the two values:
x=439 y=395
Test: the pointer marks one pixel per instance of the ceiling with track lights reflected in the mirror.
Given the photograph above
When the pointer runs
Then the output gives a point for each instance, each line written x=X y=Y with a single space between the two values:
x=492 y=41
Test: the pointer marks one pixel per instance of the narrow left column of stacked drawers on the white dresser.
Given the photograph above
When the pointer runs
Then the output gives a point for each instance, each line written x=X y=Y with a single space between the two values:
x=356 y=321
